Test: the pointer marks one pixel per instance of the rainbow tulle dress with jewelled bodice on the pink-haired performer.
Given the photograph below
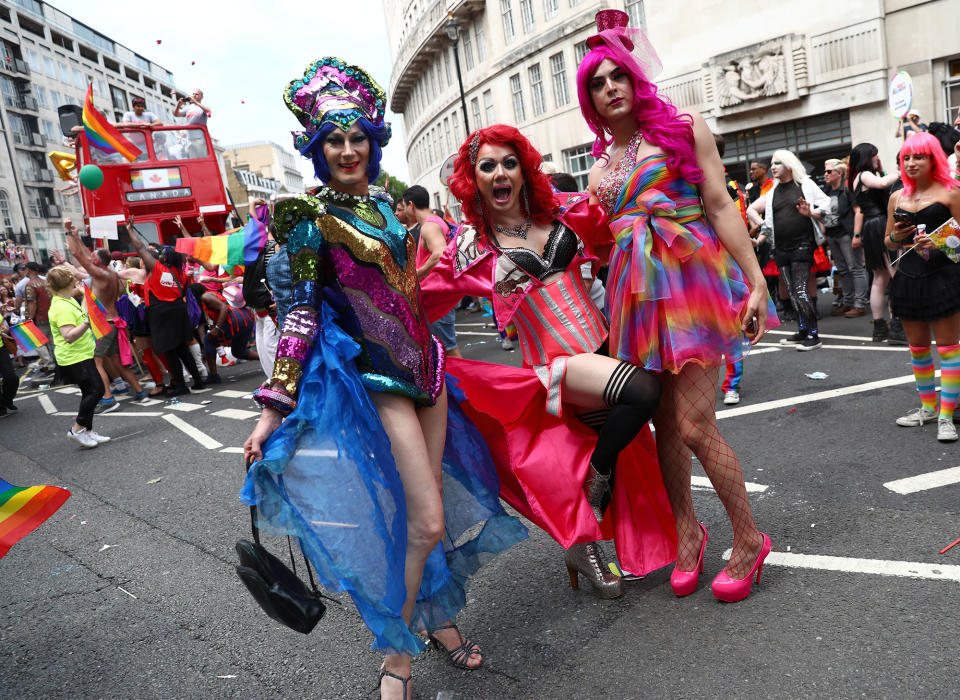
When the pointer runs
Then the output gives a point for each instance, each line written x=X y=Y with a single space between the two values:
x=674 y=293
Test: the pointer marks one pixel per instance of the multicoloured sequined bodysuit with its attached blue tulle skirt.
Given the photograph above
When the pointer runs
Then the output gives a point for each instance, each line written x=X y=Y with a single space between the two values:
x=328 y=476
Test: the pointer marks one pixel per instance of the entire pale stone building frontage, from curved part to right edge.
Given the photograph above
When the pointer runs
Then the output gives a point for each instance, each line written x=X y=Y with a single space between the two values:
x=810 y=76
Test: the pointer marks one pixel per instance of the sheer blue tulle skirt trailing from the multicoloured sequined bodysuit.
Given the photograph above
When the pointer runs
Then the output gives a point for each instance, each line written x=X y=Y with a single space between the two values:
x=328 y=478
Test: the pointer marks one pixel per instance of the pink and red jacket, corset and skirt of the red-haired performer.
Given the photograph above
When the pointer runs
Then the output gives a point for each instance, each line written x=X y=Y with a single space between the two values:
x=542 y=450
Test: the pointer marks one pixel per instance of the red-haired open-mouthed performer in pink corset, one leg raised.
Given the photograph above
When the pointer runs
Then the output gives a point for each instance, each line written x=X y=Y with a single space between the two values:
x=558 y=427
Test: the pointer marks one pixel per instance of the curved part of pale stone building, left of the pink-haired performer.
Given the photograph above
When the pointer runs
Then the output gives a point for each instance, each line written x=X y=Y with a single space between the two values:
x=518 y=61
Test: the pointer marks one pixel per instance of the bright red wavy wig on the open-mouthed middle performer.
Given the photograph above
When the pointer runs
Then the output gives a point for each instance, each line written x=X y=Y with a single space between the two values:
x=463 y=182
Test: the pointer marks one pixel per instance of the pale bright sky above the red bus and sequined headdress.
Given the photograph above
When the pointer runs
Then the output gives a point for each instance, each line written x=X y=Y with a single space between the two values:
x=245 y=52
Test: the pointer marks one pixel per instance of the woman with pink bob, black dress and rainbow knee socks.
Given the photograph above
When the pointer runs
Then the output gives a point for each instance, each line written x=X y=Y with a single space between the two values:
x=925 y=291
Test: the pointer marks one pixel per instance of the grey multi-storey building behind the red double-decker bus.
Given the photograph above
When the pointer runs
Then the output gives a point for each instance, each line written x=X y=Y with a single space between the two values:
x=47 y=59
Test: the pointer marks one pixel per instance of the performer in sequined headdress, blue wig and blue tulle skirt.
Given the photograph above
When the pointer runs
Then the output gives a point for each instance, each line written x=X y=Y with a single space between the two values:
x=388 y=487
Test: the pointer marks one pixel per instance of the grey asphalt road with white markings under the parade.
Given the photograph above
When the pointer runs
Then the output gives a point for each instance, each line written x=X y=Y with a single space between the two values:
x=128 y=591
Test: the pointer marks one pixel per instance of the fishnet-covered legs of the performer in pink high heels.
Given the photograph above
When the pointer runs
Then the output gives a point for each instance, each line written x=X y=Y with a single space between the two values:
x=686 y=421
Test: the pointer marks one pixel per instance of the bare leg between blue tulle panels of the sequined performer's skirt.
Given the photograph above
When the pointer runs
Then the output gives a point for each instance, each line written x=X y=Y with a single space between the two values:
x=416 y=441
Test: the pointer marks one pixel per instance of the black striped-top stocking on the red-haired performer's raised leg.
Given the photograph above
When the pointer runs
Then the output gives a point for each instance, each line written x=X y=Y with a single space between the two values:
x=632 y=395
